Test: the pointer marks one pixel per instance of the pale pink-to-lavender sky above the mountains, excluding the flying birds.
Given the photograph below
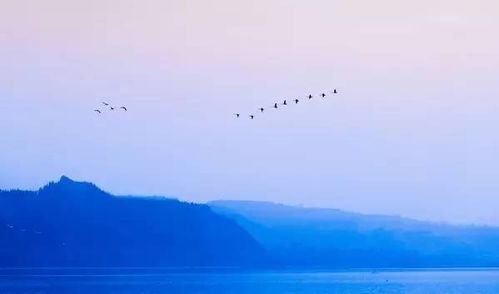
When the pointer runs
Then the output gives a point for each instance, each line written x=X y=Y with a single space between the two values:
x=413 y=131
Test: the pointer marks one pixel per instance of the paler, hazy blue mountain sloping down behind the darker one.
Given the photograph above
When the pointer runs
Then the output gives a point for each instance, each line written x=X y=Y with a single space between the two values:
x=314 y=237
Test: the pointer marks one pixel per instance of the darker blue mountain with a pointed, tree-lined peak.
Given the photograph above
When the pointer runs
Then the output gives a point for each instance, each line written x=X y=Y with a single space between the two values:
x=70 y=223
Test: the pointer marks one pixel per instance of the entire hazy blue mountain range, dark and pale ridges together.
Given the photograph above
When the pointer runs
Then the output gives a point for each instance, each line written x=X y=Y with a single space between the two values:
x=70 y=223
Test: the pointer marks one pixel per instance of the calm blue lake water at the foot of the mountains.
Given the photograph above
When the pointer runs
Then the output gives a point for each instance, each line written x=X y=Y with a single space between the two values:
x=148 y=281
